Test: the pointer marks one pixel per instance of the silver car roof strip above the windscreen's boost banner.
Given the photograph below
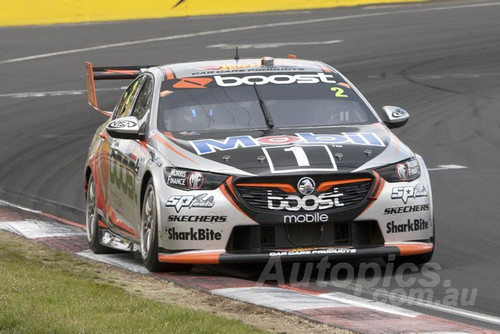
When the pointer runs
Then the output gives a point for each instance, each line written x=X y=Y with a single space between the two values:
x=243 y=66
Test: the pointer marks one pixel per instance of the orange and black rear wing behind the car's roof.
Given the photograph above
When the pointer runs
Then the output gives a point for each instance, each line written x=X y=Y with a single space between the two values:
x=108 y=73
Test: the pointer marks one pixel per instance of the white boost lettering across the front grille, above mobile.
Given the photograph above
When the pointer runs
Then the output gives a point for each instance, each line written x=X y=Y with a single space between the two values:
x=308 y=203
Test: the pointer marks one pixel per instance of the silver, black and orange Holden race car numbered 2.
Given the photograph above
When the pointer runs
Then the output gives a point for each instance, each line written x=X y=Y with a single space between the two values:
x=245 y=160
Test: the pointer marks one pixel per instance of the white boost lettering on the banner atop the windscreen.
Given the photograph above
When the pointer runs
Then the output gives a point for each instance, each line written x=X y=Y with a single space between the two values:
x=277 y=79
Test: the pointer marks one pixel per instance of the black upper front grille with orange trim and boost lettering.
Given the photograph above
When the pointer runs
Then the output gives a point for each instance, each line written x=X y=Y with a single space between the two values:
x=265 y=196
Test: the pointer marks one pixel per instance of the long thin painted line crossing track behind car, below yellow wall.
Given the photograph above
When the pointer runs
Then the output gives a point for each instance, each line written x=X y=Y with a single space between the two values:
x=246 y=28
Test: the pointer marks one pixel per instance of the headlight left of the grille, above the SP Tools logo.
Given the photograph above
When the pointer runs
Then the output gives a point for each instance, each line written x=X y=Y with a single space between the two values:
x=186 y=179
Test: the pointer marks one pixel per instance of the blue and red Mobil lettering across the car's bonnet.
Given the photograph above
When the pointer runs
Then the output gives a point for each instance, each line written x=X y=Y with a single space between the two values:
x=205 y=146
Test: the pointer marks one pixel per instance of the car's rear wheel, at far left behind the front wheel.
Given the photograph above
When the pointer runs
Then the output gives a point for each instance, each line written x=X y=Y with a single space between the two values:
x=93 y=233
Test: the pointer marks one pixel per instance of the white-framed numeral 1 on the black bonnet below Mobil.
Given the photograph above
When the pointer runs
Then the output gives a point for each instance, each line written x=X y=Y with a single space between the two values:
x=285 y=159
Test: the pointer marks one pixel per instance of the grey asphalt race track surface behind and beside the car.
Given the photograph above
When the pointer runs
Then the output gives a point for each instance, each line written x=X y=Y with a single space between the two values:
x=438 y=60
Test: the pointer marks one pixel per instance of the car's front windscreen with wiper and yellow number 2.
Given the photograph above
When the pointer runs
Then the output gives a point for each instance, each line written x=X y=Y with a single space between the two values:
x=234 y=105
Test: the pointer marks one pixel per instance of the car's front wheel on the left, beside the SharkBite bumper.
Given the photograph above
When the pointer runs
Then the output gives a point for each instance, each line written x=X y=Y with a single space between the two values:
x=149 y=235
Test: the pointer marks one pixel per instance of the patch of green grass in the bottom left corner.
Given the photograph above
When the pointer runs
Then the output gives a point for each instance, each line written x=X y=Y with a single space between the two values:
x=46 y=291
